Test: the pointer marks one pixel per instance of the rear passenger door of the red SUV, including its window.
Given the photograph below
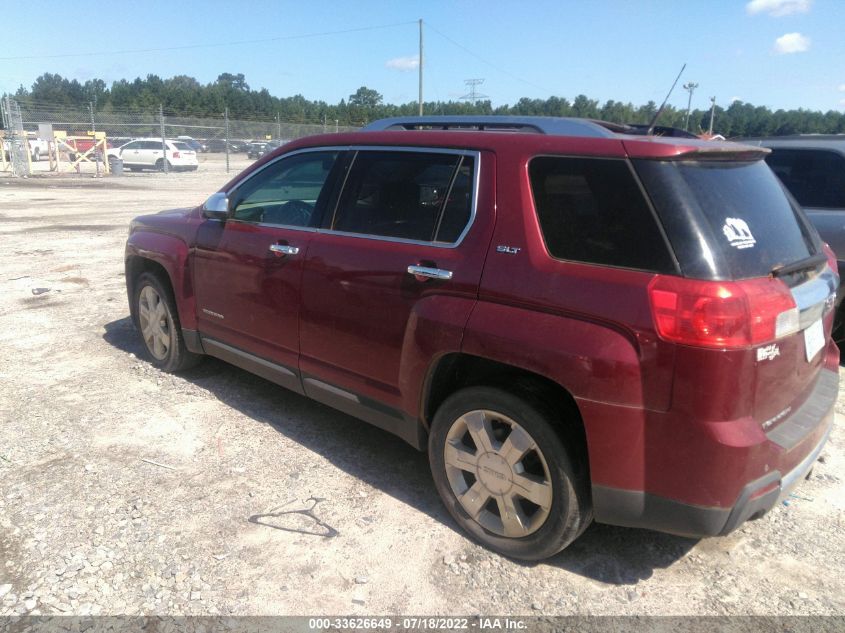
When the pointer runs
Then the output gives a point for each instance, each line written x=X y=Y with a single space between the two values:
x=404 y=241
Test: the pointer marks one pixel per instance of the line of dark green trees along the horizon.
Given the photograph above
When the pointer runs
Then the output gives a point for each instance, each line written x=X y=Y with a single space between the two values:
x=185 y=96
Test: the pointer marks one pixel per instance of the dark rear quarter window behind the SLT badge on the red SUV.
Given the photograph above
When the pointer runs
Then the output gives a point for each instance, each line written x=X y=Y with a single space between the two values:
x=591 y=210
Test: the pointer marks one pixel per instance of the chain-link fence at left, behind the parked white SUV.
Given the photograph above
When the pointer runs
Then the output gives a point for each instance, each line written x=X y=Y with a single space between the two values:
x=217 y=133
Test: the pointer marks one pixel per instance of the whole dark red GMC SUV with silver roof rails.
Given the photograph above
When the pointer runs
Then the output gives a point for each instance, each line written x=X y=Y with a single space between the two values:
x=575 y=322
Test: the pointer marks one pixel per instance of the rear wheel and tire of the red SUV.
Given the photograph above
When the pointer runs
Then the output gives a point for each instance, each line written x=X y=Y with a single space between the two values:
x=505 y=475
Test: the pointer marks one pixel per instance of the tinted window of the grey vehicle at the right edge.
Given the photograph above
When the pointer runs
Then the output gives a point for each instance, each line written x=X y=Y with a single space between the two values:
x=815 y=177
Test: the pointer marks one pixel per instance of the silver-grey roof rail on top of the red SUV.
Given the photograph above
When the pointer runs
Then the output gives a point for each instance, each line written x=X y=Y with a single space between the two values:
x=559 y=126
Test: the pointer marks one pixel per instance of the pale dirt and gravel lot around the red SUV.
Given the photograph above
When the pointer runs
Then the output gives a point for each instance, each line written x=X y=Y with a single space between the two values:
x=125 y=490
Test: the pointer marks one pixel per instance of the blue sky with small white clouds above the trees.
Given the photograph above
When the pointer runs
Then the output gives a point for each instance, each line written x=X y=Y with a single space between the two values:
x=777 y=53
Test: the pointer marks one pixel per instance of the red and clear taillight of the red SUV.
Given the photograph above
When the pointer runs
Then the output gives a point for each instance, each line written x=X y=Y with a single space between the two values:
x=722 y=314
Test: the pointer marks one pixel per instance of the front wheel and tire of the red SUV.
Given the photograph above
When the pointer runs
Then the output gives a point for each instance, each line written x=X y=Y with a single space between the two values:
x=158 y=321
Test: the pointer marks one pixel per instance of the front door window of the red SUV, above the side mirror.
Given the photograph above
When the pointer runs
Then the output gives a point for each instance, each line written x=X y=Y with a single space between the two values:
x=286 y=192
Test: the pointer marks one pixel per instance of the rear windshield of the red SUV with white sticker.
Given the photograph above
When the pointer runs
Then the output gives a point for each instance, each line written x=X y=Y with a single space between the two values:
x=726 y=220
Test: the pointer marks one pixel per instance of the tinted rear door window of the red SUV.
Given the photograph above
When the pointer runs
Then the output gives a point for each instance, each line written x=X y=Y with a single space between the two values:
x=403 y=195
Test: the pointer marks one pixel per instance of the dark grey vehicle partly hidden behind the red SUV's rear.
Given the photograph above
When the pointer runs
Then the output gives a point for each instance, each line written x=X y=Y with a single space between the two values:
x=812 y=167
